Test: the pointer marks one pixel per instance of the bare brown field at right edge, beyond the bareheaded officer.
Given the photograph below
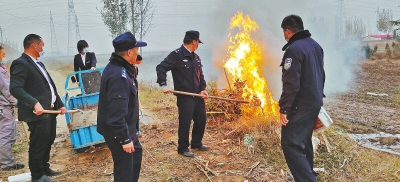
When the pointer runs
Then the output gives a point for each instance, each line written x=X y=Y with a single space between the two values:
x=359 y=108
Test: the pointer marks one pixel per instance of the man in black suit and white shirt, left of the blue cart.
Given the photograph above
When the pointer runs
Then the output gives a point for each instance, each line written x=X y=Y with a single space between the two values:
x=35 y=91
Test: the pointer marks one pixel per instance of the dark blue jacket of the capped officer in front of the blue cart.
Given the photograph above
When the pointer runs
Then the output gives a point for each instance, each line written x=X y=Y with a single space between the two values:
x=118 y=109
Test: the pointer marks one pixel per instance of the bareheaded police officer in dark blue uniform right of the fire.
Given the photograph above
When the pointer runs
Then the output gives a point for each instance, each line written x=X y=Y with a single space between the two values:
x=303 y=79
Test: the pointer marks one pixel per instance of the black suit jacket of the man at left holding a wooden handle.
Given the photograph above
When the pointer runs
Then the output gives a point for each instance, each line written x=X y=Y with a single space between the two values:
x=29 y=86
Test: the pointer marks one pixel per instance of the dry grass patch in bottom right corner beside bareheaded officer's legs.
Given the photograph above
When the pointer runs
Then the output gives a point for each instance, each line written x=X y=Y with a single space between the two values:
x=351 y=162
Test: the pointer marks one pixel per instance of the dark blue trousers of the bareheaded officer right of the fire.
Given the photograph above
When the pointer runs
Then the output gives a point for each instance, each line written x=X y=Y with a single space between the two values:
x=297 y=146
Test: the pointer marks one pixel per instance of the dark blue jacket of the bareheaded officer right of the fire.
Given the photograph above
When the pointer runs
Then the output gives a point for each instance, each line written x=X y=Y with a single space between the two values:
x=303 y=74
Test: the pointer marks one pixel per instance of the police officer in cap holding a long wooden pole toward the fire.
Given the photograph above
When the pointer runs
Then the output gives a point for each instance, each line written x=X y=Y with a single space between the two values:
x=187 y=74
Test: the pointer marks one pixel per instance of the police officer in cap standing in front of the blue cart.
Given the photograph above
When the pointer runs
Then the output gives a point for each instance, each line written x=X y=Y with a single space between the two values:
x=118 y=109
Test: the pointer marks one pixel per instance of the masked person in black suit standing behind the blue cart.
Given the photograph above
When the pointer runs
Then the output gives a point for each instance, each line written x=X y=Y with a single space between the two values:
x=85 y=60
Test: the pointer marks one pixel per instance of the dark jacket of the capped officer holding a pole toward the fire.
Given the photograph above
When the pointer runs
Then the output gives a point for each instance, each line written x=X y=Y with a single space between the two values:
x=186 y=69
